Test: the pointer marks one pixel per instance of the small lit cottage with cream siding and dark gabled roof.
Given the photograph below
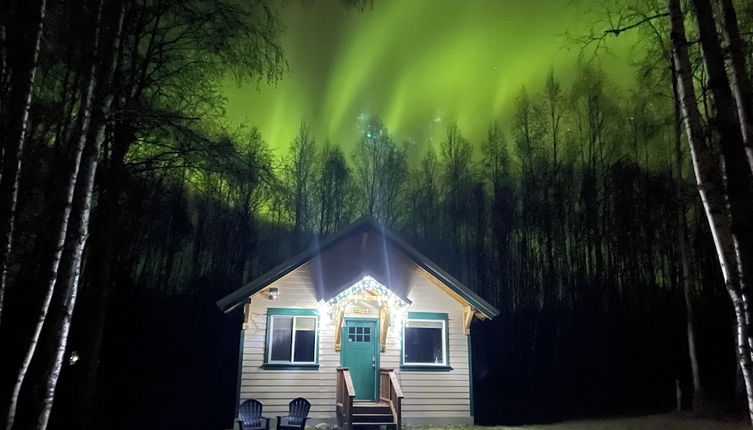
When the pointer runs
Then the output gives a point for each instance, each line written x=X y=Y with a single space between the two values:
x=365 y=328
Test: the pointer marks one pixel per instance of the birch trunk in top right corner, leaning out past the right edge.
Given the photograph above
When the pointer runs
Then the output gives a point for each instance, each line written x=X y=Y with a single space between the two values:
x=741 y=84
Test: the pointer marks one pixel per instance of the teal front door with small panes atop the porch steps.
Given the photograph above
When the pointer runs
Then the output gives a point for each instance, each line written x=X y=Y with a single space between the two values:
x=360 y=354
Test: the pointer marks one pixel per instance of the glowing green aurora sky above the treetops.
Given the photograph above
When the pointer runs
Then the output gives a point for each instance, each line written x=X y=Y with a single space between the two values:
x=419 y=64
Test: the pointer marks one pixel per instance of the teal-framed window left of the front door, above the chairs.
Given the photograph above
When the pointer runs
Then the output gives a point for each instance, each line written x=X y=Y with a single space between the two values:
x=292 y=338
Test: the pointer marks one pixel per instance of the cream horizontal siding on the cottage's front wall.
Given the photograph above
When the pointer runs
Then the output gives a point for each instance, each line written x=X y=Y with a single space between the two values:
x=430 y=397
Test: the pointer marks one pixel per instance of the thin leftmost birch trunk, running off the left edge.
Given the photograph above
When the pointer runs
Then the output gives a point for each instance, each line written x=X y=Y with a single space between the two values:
x=20 y=75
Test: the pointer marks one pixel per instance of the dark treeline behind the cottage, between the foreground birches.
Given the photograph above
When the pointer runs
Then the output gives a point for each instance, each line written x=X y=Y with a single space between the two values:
x=569 y=226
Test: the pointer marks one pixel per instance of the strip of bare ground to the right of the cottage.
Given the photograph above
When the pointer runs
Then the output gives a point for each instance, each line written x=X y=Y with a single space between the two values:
x=653 y=422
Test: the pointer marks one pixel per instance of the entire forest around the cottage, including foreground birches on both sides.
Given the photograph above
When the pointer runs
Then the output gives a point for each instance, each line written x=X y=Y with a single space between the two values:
x=129 y=207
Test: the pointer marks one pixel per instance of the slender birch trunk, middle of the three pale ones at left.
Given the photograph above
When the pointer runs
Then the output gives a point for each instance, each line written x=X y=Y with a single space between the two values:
x=63 y=199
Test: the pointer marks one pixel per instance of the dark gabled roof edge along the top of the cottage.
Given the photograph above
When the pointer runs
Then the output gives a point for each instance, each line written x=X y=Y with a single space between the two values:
x=364 y=225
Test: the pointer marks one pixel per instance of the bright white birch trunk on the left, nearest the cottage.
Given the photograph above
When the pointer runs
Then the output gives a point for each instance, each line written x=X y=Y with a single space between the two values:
x=70 y=273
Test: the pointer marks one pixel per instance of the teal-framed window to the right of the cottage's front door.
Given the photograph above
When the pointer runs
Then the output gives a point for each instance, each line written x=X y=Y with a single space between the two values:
x=425 y=341
